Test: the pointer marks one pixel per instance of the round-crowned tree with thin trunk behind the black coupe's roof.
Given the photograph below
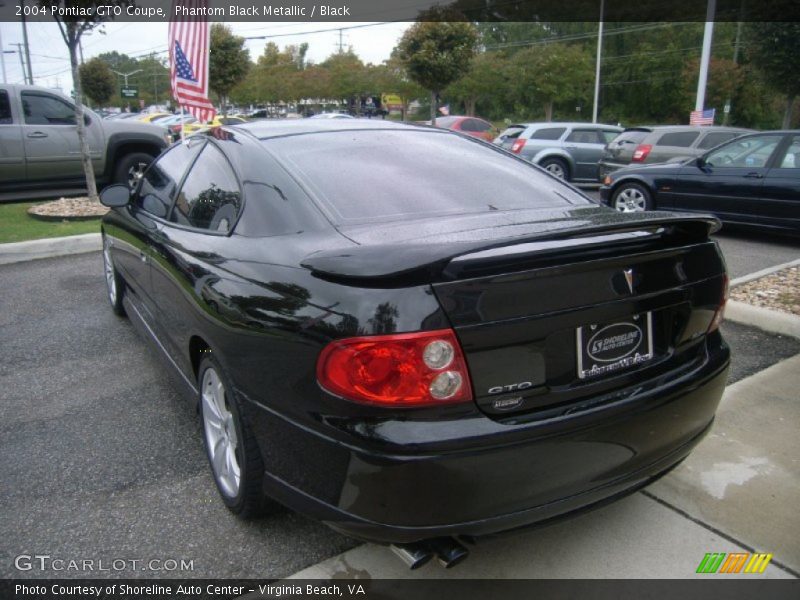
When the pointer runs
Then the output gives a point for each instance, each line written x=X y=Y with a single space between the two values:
x=437 y=52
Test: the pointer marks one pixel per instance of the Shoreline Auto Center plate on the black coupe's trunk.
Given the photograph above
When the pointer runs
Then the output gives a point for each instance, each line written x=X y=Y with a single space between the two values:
x=607 y=347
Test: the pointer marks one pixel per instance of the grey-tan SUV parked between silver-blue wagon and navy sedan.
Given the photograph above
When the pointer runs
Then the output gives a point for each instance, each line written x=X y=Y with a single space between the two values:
x=662 y=143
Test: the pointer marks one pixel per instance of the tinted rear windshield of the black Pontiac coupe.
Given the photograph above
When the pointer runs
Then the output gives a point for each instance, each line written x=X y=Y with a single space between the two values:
x=380 y=175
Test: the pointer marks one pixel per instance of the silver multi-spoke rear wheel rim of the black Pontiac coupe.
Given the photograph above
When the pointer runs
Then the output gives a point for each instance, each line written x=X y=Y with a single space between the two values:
x=220 y=430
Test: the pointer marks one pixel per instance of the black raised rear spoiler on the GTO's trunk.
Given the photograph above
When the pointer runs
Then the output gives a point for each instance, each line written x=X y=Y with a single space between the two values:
x=424 y=262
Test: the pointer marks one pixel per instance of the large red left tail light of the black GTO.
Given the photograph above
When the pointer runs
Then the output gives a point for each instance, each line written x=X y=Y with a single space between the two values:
x=400 y=370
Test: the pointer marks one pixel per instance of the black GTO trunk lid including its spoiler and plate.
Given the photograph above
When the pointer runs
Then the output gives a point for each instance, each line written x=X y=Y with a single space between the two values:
x=528 y=295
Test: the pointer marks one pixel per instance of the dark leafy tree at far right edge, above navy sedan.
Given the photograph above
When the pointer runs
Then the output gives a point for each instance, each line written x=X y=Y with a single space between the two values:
x=773 y=49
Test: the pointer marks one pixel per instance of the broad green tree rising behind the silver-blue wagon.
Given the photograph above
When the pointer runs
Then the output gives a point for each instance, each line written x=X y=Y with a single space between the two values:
x=551 y=74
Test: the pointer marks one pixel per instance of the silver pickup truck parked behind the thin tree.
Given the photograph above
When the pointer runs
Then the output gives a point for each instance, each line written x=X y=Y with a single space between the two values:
x=39 y=147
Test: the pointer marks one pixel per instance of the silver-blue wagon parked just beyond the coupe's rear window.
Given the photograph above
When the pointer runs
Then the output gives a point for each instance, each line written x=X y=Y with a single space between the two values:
x=569 y=151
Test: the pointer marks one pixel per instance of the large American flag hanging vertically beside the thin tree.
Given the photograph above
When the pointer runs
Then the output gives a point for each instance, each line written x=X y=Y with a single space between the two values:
x=188 y=58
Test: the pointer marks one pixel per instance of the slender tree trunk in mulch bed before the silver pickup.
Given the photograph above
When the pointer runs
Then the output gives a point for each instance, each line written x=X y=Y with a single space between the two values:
x=72 y=29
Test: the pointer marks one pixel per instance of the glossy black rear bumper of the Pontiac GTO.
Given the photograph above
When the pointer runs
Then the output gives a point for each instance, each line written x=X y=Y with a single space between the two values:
x=519 y=475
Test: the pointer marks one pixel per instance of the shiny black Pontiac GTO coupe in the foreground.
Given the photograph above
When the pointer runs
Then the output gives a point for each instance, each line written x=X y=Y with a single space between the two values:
x=412 y=335
